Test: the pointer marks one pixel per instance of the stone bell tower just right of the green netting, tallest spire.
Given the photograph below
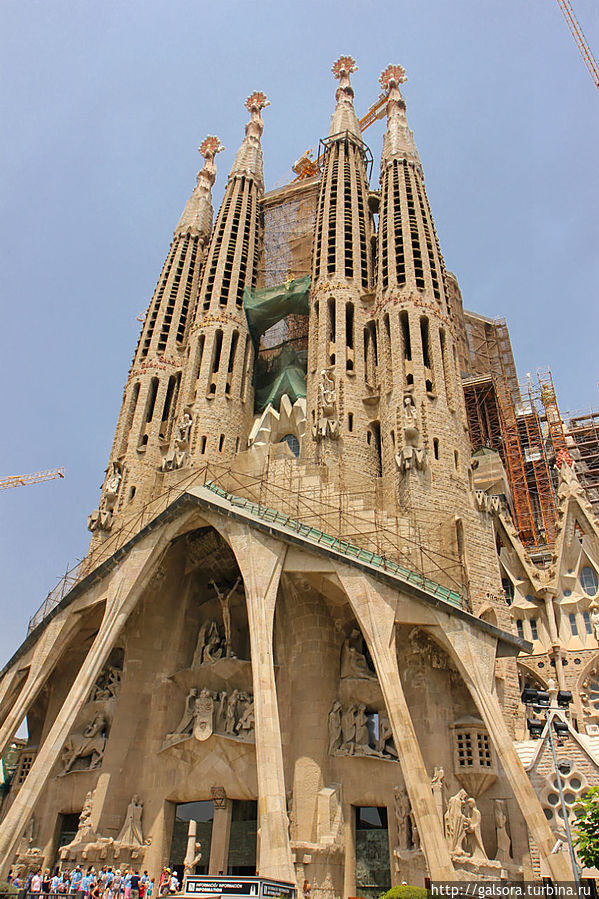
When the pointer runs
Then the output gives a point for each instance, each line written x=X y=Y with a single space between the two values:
x=341 y=393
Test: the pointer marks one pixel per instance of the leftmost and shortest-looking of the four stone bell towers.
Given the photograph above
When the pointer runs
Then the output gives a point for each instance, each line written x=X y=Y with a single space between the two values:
x=144 y=442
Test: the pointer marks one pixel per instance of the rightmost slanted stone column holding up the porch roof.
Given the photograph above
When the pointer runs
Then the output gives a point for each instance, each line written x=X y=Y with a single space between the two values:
x=473 y=652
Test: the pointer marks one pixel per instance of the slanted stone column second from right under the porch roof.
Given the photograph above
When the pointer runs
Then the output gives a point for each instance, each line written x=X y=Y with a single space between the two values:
x=374 y=609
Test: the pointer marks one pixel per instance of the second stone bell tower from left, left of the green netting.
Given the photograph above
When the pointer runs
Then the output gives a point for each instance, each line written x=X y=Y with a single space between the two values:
x=218 y=392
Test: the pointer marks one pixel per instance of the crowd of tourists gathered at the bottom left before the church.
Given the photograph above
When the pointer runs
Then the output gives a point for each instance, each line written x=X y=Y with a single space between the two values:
x=104 y=883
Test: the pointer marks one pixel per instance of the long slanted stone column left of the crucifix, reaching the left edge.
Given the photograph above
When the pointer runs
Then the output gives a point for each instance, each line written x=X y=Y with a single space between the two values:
x=122 y=592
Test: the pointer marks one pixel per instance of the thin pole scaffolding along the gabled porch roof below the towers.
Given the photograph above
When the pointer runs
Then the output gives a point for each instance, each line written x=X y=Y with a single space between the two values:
x=335 y=508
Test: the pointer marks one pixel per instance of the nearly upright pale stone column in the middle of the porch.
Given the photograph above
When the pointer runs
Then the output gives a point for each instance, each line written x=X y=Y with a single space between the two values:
x=260 y=560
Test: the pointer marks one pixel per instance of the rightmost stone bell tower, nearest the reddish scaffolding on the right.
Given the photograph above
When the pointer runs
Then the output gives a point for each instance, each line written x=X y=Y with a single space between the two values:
x=424 y=438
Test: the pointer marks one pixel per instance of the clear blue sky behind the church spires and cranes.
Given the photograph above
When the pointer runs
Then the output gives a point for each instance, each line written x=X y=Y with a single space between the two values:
x=103 y=106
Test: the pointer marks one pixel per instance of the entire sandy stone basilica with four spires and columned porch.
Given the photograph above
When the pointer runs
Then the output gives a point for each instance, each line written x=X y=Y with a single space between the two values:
x=316 y=584
